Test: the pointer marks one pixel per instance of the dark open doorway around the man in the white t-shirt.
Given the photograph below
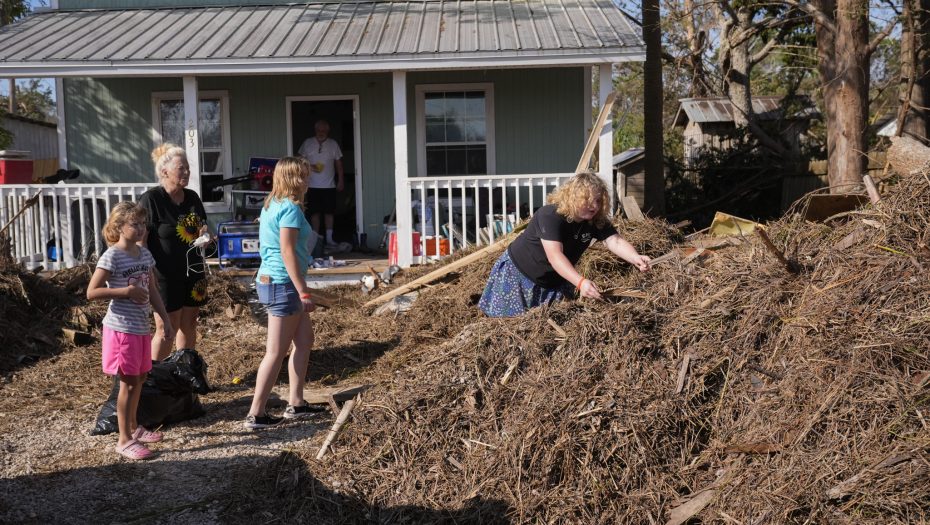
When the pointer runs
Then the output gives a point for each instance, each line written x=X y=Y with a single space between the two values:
x=341 y=114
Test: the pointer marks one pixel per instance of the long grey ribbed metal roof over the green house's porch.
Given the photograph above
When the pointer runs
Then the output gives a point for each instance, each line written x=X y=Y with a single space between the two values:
x=318 y=36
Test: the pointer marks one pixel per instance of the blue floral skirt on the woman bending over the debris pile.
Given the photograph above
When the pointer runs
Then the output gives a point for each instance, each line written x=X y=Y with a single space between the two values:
x=510 y=293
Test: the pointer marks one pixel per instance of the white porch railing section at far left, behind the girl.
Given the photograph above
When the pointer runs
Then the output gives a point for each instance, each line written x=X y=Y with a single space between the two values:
x=64 y=228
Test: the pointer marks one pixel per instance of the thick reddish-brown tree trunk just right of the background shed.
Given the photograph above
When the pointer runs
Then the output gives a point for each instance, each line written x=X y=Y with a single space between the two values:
x=843 y=61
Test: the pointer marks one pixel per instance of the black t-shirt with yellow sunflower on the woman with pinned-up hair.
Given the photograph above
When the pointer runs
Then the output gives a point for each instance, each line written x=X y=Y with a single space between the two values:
x=172 y=228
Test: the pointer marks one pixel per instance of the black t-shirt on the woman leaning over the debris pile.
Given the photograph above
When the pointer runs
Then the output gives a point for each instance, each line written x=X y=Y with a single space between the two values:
x=529 y=256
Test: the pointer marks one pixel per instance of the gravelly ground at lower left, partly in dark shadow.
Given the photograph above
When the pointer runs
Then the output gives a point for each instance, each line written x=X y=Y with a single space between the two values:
x=53 y=471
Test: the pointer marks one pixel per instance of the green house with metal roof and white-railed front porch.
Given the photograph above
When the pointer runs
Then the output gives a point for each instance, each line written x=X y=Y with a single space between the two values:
x=450 y=114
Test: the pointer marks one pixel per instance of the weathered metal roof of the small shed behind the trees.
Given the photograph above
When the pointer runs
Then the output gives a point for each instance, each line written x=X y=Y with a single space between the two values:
x=720 y=109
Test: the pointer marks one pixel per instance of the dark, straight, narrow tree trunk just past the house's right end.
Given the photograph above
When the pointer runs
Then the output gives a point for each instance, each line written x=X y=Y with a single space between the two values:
x=654 y=164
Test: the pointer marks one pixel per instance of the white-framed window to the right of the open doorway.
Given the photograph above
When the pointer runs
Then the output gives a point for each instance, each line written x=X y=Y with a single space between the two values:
x=455 y=130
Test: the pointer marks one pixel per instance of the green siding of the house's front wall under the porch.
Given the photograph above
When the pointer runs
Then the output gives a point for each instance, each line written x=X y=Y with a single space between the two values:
x=538 y=123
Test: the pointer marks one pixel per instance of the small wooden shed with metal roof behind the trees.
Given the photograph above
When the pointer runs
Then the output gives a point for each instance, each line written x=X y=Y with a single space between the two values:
x=706 y=121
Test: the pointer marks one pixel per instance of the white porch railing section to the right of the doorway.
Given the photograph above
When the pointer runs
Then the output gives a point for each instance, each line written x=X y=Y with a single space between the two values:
x=455 y=212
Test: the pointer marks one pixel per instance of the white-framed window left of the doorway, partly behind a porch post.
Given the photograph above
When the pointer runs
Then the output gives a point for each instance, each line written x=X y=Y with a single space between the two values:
x=169 y=122
